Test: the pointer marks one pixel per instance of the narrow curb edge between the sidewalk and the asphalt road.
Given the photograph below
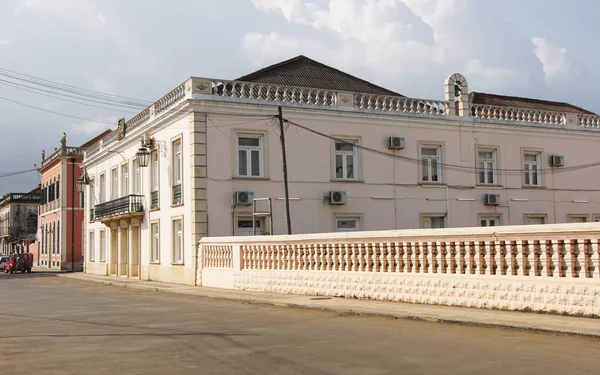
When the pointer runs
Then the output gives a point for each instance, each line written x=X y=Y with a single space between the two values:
x=342 y=310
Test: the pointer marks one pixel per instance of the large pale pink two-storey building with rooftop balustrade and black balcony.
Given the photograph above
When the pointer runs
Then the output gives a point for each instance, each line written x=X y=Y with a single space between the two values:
x=359 y=157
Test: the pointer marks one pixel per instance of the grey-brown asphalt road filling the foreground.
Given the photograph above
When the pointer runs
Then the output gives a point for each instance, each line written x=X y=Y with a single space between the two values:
x=53 y=325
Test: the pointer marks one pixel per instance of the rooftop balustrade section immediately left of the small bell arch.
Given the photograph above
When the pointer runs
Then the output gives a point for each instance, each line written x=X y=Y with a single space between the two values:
x=400 y=104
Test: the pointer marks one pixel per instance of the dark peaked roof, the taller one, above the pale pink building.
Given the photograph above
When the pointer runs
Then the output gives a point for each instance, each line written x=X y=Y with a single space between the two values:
x=304 y=72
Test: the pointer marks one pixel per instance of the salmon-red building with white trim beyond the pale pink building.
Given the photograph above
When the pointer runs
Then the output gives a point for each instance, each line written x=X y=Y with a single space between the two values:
x=61 y=213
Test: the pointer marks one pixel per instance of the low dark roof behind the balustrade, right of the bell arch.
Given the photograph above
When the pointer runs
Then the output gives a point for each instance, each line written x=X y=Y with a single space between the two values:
x=517 y=102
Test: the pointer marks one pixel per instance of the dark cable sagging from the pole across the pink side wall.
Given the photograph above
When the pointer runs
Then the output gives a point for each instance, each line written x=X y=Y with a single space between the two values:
x=452 y=167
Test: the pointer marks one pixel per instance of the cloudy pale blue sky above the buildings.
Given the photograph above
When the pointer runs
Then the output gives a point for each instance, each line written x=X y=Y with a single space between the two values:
x=543 y=49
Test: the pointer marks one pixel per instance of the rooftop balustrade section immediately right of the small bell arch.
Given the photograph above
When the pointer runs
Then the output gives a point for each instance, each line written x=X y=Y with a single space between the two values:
x=517 y=114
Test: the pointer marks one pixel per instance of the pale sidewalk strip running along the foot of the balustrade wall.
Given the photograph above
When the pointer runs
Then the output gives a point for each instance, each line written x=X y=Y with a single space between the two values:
x=431 y=313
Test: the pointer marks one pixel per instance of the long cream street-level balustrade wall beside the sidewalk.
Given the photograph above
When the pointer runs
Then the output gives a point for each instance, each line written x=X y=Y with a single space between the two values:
x=551 y=268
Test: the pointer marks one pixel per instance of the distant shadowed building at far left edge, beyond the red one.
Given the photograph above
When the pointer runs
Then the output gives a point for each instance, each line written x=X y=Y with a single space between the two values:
x=18 y=222
